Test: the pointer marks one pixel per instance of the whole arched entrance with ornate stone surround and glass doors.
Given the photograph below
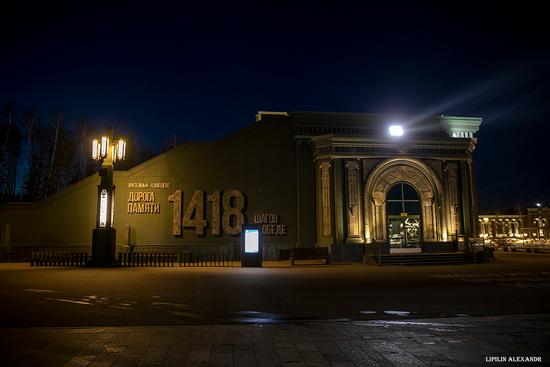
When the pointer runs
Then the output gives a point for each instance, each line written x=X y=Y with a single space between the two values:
x=410 y=192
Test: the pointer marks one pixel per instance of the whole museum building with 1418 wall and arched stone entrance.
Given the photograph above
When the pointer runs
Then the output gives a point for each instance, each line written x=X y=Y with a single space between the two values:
x=351 y=182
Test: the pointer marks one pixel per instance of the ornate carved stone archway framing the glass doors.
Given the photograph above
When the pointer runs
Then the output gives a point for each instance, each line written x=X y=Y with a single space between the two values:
x=417 y=174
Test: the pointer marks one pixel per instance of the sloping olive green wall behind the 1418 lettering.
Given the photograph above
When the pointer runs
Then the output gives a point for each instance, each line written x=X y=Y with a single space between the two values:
x=262 y=161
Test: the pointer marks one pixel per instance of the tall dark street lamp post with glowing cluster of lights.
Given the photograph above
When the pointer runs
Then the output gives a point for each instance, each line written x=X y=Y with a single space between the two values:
x=107 y=152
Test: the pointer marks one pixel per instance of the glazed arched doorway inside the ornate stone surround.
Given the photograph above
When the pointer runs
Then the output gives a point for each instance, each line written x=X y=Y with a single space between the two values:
x=403 y=210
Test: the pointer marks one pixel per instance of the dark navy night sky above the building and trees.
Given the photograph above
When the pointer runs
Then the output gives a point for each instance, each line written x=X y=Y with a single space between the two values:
x=202 y=72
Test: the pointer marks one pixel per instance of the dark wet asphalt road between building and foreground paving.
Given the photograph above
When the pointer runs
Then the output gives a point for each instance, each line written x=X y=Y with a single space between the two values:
x=516 y=283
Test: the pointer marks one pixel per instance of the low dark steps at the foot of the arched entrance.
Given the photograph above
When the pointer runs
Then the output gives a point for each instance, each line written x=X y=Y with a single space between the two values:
x=444 y=258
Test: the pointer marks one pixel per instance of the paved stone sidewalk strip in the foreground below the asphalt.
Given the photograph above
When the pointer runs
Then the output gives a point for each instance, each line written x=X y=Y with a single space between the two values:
x=454 y=341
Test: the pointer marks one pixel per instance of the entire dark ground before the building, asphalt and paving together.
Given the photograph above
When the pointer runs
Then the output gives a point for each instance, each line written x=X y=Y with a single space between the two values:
x=310 y=315
